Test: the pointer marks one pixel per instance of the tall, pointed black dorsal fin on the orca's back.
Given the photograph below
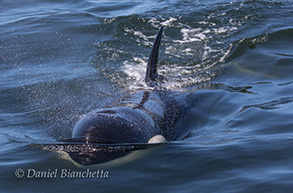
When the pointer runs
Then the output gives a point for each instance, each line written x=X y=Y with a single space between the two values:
x=152 y=72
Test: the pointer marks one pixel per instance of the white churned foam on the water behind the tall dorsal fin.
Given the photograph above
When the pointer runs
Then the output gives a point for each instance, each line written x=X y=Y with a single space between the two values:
x=185 y=60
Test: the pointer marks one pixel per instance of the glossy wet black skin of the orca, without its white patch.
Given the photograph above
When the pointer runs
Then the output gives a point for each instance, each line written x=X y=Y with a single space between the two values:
x=134 y=118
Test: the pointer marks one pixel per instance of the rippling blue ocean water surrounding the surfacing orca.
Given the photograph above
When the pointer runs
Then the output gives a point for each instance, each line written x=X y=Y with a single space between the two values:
x=62 y=59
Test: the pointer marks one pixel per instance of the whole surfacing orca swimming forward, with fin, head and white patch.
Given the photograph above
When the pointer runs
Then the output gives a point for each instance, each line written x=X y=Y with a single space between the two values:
x=131 y=122
